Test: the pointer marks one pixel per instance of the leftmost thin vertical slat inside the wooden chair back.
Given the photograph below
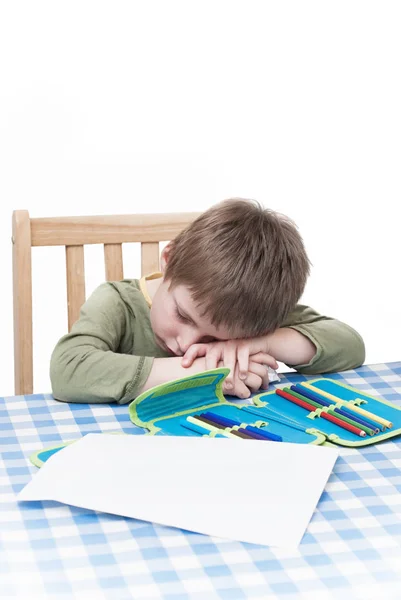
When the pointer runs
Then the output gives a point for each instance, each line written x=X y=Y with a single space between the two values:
x=75 y=282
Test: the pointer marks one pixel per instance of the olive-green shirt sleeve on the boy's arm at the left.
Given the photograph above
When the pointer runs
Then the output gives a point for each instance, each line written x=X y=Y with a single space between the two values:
x=86 y=366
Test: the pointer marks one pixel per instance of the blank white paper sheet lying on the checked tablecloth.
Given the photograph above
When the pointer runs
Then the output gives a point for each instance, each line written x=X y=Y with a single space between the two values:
x=246 y=490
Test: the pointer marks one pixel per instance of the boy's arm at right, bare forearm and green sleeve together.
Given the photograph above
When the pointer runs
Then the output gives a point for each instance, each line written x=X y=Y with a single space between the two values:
x=337 y=346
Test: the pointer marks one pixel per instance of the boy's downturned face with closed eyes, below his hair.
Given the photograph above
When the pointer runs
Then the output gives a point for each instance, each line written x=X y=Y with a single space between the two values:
x=176 y=320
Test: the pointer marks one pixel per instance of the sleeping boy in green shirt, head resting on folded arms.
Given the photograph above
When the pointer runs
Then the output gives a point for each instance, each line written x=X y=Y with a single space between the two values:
x=227 y=295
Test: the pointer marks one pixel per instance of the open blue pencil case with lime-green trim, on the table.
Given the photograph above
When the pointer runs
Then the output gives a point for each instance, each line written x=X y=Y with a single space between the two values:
x=169 y=409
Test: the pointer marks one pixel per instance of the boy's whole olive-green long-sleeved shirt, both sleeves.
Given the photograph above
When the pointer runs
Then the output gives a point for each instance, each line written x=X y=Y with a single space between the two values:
x=109 y=352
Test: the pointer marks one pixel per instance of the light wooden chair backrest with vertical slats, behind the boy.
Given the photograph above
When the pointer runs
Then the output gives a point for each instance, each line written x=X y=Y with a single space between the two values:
x=74 y=233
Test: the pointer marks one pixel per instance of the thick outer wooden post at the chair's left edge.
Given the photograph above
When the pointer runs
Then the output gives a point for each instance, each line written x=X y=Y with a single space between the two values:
x=22 y=302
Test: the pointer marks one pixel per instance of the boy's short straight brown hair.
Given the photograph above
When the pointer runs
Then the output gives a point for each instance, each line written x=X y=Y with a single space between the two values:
x=245 y=266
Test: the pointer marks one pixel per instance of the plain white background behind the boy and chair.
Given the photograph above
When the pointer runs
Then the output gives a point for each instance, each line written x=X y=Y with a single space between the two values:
x=122 y=107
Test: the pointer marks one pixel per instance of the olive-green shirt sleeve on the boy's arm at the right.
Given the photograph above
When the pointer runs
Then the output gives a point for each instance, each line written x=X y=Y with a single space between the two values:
x=338 y=346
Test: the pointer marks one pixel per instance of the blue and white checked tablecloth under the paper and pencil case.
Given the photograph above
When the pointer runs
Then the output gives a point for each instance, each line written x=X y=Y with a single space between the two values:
x=47 y=550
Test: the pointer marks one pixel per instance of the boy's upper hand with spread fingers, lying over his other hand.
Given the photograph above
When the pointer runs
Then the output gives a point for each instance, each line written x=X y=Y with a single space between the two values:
x=234 y=354
